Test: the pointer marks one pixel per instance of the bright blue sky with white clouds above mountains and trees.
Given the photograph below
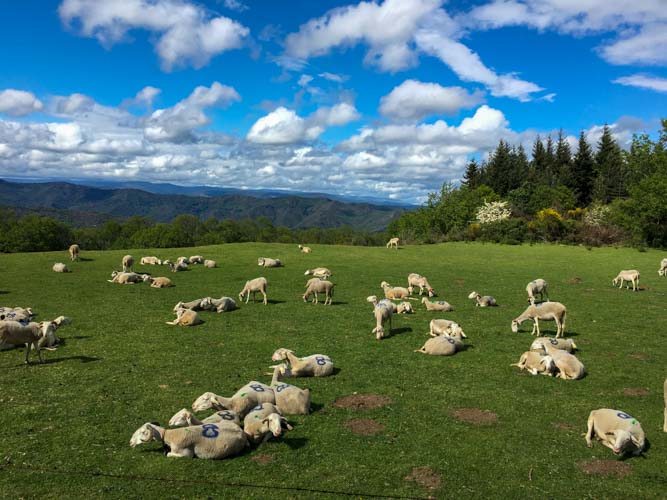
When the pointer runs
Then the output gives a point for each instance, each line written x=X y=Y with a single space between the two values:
x=386 y=98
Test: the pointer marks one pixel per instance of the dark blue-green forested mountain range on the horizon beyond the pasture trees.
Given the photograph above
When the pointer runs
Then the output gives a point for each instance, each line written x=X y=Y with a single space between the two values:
x=82 y=205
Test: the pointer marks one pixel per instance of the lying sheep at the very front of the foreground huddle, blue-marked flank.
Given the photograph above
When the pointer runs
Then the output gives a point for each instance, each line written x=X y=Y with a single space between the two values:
x=203 y=441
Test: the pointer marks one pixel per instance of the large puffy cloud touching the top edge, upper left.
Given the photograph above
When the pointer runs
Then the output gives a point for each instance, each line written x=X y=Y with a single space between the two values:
x=186 y=33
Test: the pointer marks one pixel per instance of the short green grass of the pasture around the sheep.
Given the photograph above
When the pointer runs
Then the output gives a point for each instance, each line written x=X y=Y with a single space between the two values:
x=120 y=365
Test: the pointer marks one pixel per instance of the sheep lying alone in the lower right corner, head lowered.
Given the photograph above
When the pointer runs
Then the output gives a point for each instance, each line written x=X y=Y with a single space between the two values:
x=616 y=430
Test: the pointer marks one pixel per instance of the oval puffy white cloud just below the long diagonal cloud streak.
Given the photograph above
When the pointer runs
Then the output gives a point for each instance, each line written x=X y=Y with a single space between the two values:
x=414 y=100
